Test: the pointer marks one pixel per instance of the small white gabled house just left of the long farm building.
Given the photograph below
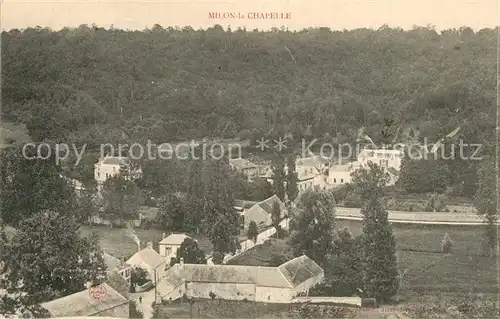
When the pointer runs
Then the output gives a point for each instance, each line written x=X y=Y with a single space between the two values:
x=149 y=260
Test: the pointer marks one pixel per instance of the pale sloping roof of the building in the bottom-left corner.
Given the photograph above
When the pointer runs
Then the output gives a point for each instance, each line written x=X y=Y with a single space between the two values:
x=80 y=303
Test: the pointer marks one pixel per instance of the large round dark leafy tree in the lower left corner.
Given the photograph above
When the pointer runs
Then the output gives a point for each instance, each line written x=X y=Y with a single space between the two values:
x=47 y=259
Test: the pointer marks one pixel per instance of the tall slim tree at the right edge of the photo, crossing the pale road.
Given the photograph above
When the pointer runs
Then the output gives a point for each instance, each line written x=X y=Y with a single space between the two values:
x=485 y=202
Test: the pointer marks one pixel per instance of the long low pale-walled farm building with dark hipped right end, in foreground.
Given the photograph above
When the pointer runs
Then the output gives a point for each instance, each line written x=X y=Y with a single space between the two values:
x=261 y=284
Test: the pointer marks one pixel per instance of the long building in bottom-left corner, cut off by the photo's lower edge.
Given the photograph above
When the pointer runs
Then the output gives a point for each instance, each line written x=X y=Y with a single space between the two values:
x=82 y=304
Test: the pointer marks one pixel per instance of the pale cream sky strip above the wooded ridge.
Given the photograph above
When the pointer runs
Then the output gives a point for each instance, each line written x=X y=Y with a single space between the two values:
x=338 y=15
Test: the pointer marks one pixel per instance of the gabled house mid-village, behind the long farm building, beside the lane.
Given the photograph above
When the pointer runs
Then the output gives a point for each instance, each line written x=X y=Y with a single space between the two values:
x=261 y=212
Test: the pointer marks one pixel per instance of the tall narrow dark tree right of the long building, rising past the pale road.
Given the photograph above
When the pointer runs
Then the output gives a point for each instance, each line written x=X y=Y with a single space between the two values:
x=379 y=246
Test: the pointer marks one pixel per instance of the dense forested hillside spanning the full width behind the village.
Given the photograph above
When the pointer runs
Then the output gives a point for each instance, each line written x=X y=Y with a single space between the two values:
x=91 y=85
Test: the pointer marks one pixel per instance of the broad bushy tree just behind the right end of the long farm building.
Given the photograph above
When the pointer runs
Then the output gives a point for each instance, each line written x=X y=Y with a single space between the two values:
x=312 y=226
